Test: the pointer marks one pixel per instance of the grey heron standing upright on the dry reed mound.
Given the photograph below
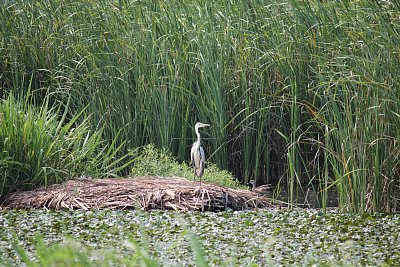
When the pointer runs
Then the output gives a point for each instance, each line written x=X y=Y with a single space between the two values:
x=197 y=155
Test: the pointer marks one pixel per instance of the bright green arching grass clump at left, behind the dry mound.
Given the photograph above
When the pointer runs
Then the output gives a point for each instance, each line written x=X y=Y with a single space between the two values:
x=39 y=148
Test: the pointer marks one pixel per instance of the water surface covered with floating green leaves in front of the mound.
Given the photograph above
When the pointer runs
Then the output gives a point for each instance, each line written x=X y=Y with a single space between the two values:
x=263 y=238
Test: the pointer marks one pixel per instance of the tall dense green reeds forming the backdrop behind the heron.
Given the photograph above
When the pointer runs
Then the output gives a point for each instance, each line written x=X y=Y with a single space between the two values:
x=301 y=92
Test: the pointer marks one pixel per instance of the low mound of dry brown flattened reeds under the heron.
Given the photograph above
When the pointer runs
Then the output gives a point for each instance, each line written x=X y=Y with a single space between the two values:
x=145 y=193
